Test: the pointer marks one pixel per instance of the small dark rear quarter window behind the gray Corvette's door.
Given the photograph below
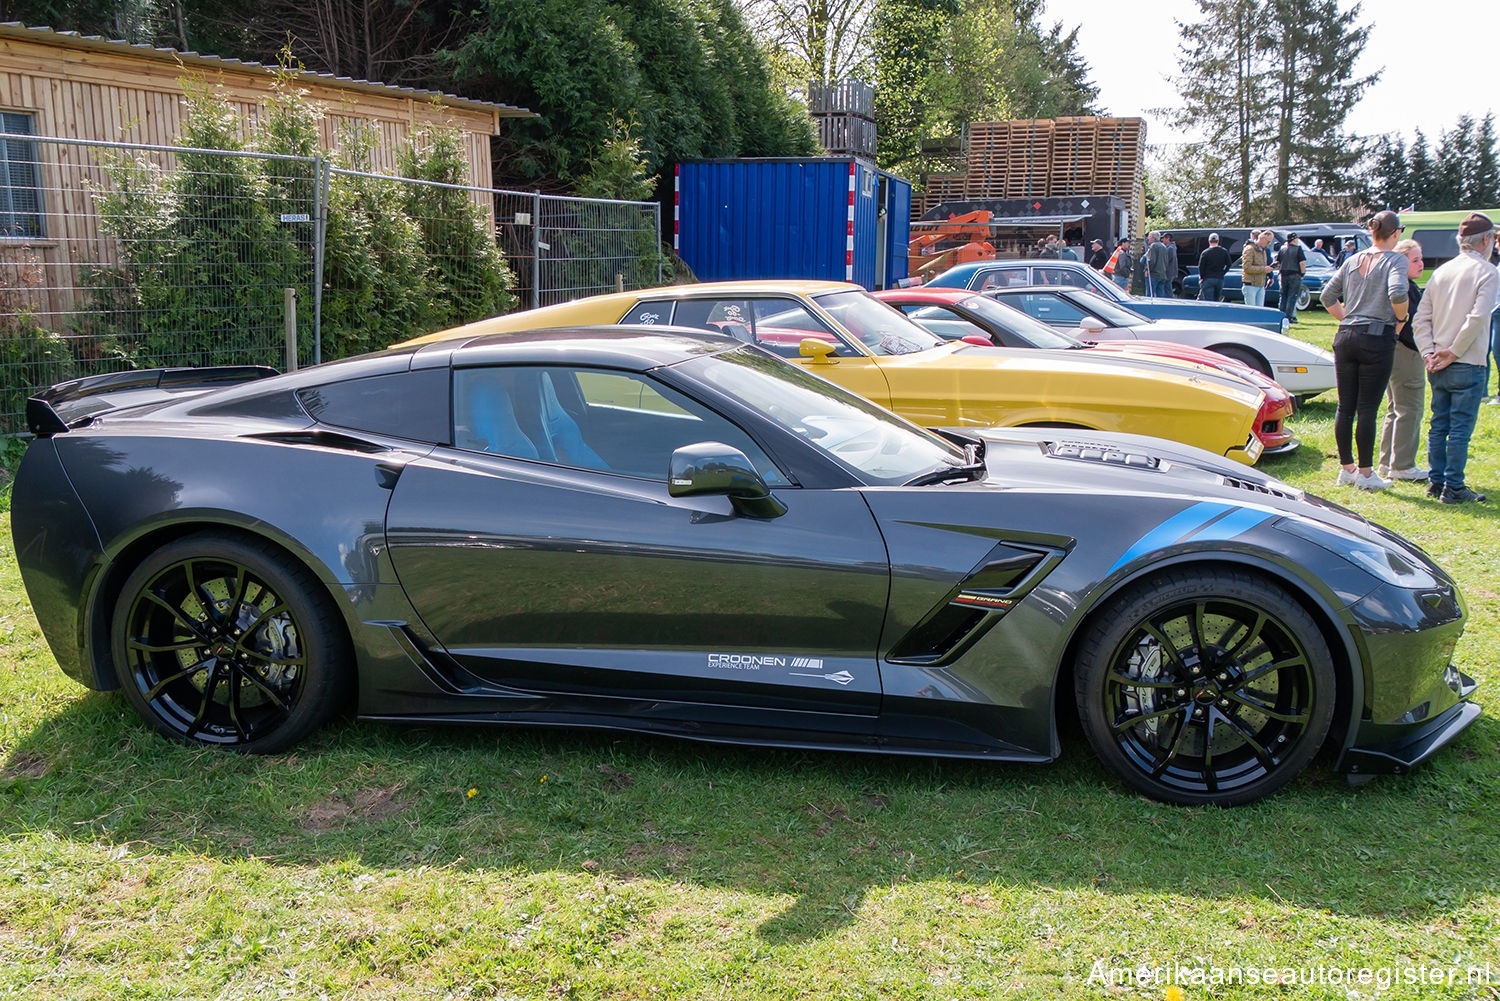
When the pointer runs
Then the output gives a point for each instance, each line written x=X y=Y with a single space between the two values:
x=401 y=404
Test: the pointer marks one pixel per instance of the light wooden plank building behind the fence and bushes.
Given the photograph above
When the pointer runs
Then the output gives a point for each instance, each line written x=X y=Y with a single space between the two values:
x=64 y=86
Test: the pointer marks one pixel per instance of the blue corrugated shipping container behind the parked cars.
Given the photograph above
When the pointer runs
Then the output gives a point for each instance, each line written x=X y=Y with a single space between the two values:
x=832 y=218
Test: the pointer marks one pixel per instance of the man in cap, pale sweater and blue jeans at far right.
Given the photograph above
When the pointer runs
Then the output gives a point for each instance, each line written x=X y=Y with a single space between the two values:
x=1451 y=331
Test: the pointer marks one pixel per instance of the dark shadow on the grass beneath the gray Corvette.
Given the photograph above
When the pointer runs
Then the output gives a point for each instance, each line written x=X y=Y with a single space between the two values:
x=820 y=829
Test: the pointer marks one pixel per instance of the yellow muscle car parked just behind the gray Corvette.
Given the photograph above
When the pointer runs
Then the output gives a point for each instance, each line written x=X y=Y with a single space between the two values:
x=854 y=340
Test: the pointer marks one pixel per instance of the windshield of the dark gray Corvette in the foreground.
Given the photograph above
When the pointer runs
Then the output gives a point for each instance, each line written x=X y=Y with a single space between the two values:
x=883 y=448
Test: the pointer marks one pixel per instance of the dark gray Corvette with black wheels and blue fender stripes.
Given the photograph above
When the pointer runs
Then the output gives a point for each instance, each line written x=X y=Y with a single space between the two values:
x=676 y=534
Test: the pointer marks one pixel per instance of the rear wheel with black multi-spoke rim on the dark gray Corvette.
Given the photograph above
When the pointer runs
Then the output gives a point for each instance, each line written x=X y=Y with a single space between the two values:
x=227 y=642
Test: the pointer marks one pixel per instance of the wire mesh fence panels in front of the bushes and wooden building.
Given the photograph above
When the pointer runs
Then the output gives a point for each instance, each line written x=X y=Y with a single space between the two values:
x=125 y=256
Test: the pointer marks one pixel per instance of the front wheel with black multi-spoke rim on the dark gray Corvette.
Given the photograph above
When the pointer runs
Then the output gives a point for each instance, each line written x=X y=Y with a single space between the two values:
x=1205 y=688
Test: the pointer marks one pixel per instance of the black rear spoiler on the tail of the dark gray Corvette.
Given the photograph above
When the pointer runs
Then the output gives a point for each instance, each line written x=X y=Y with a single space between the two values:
x=79 y=401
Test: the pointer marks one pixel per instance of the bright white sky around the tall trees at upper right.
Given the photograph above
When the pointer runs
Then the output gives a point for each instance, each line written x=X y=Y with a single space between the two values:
x=1132 y=50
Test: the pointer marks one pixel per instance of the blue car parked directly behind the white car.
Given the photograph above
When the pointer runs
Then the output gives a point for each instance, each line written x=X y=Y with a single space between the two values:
x=982 y=275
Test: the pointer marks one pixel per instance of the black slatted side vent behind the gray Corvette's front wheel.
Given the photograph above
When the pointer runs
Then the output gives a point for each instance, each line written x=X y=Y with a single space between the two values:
x=967 y=613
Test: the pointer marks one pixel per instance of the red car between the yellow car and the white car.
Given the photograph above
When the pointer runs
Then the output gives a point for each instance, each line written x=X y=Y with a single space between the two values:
x=965 y=316
